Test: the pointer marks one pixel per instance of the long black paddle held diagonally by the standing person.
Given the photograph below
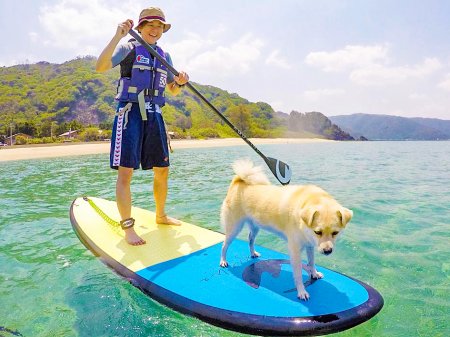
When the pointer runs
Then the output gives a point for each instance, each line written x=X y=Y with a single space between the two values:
x=280 y=169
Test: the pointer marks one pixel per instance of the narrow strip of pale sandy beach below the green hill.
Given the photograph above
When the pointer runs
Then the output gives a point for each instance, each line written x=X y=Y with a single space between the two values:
x=78 y=149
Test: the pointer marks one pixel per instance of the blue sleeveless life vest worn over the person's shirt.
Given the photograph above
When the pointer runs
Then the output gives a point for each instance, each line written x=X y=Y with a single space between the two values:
x=148 y=79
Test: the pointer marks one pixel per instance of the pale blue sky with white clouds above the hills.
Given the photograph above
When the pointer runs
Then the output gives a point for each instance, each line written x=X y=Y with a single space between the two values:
x=338 y=56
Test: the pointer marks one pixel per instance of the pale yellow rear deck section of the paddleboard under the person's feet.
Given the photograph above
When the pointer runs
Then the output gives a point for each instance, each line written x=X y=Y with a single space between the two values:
x=163 y=242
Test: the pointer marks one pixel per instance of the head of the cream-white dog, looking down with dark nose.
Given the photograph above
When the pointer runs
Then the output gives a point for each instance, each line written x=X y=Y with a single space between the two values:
x=324 y=225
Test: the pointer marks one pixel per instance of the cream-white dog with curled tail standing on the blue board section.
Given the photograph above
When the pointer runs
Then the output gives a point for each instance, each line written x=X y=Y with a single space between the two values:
x=306 y=216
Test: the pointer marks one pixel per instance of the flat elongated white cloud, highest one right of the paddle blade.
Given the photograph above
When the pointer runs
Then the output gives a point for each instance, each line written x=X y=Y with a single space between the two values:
x=348 y=58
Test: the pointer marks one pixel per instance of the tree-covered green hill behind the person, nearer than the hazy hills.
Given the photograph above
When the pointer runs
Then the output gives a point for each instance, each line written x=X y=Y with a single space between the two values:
x=43 y=100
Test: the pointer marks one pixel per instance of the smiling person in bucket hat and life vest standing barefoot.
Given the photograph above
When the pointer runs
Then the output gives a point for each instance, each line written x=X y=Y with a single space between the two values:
x=139 y=135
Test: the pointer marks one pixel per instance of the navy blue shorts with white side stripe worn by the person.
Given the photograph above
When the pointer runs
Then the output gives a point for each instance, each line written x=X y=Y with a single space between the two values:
x=136 y=142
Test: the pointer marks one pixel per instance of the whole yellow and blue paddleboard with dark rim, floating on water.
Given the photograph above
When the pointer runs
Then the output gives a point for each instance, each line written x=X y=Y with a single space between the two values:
x=179 y=267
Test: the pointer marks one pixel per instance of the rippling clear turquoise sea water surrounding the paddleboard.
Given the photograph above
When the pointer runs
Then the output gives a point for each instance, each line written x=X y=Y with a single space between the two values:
x=398 y=241
